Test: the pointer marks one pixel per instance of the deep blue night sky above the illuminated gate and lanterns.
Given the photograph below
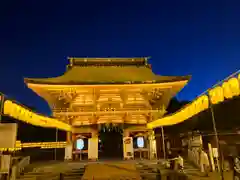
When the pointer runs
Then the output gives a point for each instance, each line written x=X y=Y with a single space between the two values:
x=201 y=38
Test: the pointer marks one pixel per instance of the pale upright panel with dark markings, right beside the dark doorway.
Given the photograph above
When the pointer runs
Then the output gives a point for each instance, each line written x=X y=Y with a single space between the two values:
x=128 y=148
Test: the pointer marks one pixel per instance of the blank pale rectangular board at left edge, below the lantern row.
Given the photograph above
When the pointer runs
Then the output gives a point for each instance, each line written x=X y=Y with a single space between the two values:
x=8 y=135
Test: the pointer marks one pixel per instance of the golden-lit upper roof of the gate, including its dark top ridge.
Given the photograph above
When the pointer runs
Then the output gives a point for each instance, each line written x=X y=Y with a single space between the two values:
x=107 y=71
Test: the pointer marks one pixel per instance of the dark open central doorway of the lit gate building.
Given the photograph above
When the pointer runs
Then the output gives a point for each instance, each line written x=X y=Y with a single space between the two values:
x=110 y=144
